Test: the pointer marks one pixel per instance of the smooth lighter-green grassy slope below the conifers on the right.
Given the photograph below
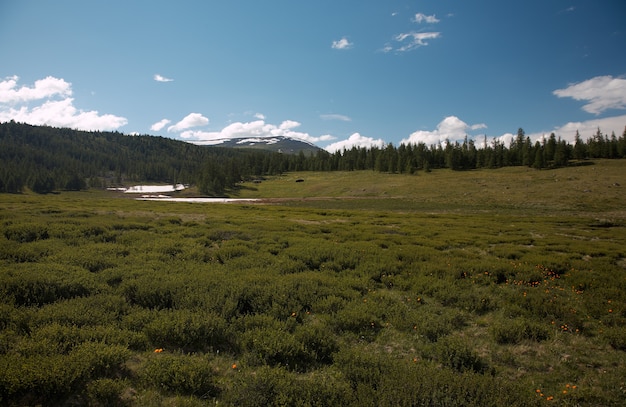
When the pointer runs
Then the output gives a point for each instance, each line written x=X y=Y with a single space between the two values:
x=583 y=190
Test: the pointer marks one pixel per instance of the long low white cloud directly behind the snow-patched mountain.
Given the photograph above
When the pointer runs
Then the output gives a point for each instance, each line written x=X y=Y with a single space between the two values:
x=254 y=129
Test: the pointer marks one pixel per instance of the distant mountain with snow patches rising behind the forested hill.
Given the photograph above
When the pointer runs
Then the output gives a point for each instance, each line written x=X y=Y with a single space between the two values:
x=278 y=144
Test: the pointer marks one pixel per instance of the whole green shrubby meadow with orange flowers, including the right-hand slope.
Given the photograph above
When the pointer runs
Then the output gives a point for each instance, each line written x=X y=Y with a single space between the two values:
x=480 y=288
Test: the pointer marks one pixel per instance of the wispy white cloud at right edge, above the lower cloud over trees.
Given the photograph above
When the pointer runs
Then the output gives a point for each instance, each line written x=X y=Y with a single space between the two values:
x=602 y=93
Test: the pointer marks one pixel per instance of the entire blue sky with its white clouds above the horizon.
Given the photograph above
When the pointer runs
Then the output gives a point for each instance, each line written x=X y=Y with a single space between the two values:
x=335 y=73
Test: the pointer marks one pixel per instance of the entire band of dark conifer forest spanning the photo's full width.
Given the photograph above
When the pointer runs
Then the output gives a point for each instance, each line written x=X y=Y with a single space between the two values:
x=45 y=159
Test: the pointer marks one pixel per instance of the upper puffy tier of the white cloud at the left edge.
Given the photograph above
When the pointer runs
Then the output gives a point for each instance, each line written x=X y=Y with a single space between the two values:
x=44 y=88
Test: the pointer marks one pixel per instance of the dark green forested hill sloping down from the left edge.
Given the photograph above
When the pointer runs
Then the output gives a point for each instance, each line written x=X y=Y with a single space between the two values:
x=45 y=159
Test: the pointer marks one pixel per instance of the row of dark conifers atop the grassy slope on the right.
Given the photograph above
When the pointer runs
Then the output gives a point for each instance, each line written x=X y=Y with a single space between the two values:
x=549 y=152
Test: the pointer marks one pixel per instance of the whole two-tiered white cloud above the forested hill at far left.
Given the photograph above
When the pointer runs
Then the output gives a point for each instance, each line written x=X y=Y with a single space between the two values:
x=47 y=110
